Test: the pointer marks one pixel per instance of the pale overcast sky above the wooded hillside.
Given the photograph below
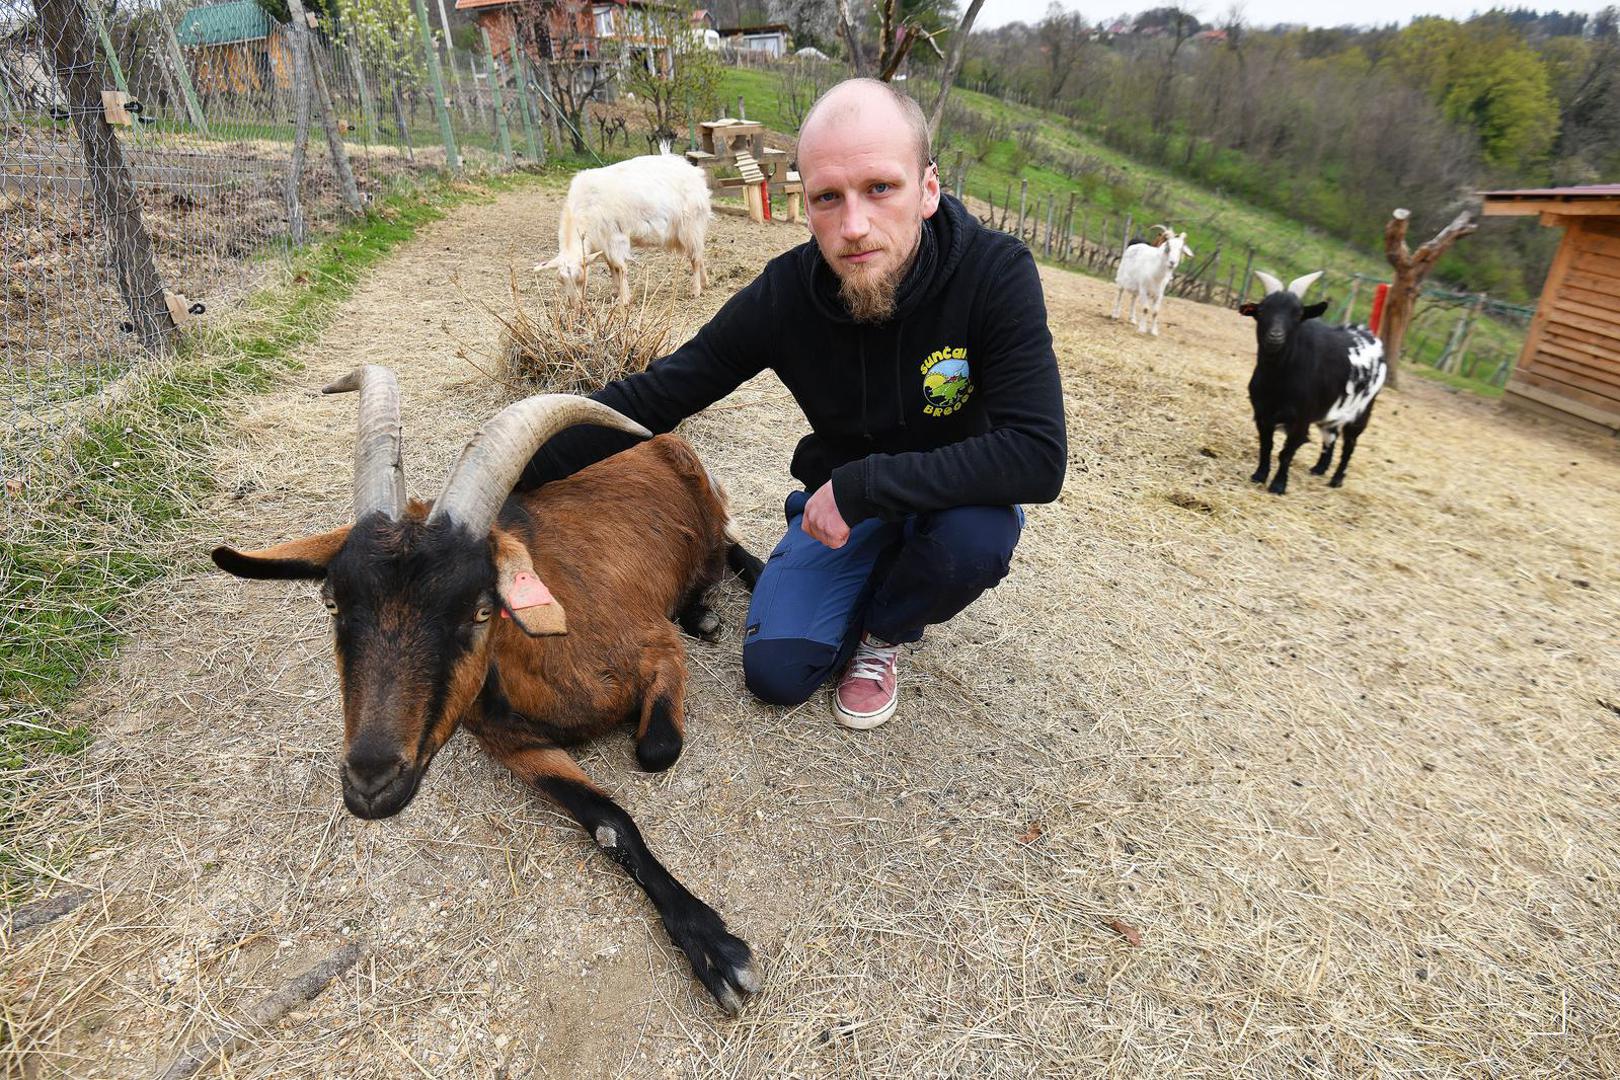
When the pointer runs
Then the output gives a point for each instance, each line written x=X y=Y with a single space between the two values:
x=1273 y=12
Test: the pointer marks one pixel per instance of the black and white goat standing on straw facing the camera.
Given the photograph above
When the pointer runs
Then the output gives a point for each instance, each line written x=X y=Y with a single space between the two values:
x=1310 y=373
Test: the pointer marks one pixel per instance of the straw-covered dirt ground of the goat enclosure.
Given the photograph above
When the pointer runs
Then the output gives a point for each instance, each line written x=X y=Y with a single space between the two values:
x=1347 y=762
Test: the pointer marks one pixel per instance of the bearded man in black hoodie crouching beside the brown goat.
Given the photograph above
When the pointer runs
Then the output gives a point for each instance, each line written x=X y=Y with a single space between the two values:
x=916 y=344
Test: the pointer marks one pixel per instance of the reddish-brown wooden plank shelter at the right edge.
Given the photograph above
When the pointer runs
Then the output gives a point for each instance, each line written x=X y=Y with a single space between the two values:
x=1571 y=364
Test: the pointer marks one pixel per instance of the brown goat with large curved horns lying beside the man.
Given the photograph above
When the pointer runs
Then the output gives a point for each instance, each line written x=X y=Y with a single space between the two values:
x=535 y=621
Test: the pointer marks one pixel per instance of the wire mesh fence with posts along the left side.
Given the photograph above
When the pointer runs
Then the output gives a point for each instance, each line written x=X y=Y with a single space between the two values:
x=161 y=158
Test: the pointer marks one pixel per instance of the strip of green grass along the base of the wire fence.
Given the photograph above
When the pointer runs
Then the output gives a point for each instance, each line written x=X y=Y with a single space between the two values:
x=70 y=568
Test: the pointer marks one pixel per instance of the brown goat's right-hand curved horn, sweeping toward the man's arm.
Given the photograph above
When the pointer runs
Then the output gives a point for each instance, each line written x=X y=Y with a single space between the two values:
x=497 y=456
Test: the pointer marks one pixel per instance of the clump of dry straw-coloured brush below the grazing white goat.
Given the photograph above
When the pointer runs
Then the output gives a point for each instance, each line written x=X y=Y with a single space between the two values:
x=574 y=349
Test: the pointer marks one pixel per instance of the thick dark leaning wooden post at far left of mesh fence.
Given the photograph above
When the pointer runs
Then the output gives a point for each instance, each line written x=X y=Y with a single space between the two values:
x=62 y=23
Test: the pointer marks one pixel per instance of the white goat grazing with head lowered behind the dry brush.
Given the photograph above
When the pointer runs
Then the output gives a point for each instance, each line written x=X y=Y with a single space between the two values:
x=654 y=202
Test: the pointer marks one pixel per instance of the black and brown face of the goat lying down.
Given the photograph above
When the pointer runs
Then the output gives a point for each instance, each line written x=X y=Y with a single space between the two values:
x=412 y=606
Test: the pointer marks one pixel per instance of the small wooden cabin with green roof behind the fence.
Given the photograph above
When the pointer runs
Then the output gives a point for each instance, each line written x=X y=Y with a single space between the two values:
x=236 y=49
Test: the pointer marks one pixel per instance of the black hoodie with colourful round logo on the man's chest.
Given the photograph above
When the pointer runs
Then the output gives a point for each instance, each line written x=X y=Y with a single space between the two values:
x=952 y=402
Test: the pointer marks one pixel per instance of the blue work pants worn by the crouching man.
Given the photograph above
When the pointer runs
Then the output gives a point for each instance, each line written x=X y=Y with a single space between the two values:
x=892 y=579
